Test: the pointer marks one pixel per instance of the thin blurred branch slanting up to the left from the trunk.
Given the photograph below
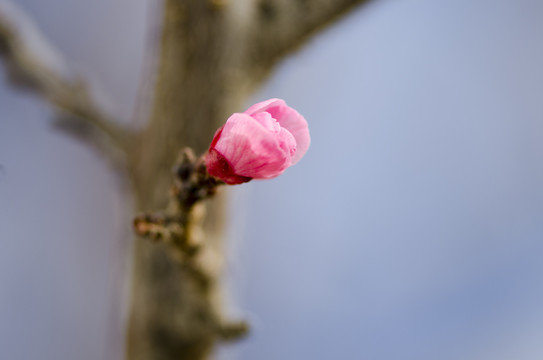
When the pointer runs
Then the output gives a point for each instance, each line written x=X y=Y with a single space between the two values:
x=34 y=65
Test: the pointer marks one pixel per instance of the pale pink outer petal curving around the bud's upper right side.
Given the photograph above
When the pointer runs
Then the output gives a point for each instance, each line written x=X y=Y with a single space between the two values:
x=288 y=118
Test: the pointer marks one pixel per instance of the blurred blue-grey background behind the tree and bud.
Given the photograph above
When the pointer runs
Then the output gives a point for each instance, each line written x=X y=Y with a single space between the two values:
x=412 y=229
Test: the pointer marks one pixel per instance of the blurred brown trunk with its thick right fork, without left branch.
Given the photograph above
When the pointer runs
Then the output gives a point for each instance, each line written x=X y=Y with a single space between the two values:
x=213 y=54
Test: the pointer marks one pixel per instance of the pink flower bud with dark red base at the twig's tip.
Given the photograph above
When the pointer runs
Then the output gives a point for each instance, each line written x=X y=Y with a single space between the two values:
x=259 y=143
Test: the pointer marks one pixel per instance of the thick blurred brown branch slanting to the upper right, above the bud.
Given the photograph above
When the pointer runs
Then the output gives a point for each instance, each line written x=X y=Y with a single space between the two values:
x=284 y=25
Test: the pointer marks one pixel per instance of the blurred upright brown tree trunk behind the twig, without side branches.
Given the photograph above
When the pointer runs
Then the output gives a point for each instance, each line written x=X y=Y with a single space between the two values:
x=197 y=86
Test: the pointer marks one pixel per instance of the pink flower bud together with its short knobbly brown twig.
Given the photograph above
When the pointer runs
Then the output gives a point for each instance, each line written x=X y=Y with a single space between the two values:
x=260 y=143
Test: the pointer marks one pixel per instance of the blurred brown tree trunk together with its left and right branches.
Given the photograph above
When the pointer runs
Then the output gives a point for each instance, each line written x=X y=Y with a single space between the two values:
x=212 y=54
